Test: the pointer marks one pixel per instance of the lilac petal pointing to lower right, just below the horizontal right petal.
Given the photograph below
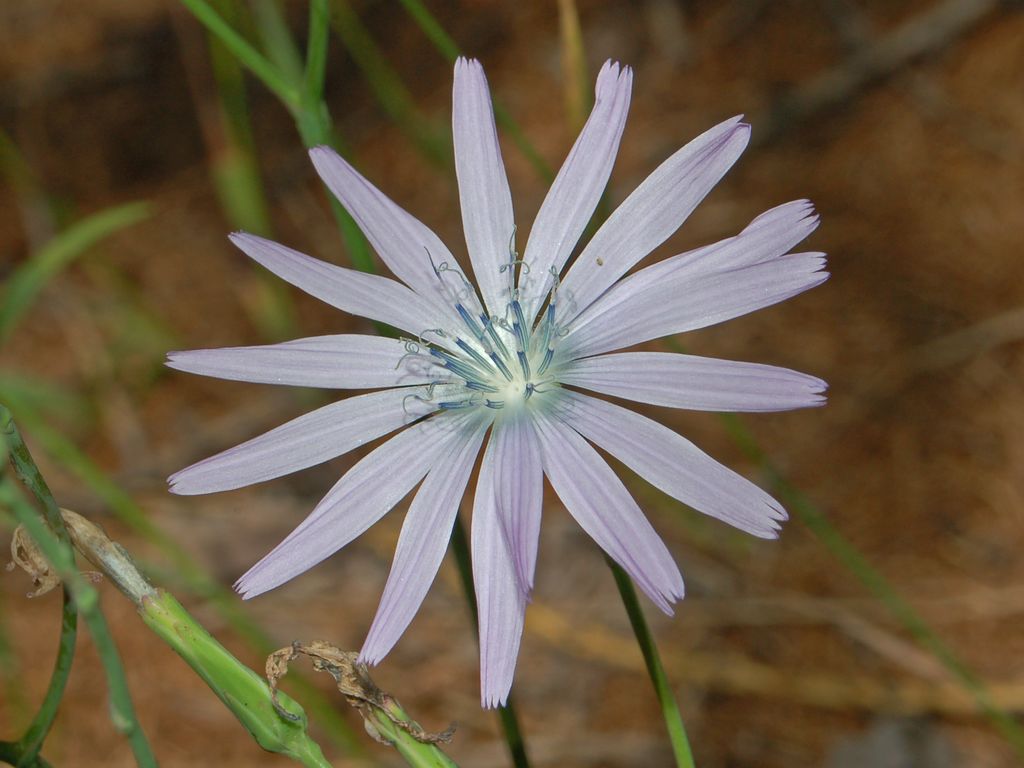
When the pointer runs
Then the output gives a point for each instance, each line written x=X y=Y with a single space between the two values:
x=675 y=465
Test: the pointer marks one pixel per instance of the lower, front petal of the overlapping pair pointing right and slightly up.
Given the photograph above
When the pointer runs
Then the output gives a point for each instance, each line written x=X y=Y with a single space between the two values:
x=682 y=303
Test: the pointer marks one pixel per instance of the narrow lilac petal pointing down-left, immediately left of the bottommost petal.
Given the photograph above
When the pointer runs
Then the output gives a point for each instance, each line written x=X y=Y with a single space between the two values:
x=423 y=540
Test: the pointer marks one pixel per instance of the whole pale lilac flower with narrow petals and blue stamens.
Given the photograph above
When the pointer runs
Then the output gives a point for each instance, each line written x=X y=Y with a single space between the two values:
x=509 y=362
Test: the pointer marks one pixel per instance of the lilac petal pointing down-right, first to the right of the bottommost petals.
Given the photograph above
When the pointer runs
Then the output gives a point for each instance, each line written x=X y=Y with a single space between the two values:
x=600 y=502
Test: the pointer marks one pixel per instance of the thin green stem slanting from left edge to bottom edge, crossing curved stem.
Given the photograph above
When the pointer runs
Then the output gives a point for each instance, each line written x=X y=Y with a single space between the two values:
x=62 y=559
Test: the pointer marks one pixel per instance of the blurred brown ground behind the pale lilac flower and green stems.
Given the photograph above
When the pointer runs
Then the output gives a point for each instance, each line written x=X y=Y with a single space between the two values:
x=780 y=657
